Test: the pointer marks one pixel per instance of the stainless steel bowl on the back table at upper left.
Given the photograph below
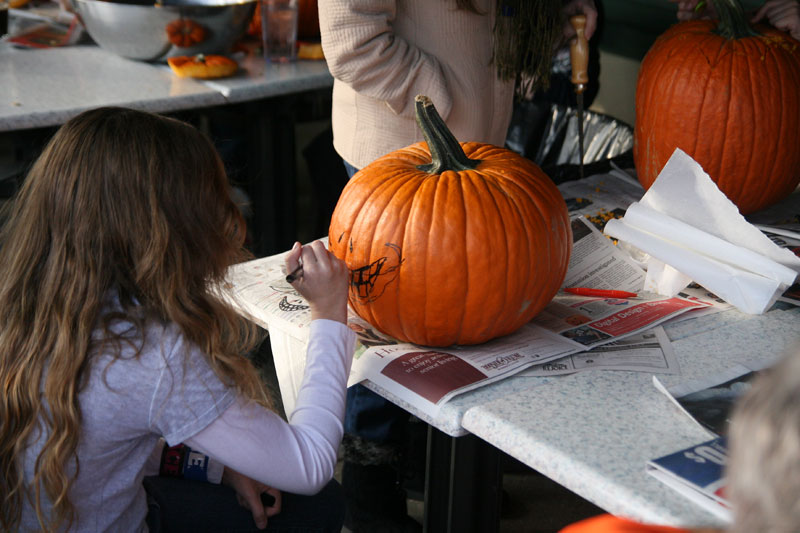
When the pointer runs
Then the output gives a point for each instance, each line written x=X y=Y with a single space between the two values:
x=140 y=31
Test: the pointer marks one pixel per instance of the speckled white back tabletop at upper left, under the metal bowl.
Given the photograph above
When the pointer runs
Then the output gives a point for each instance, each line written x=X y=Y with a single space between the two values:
x=49 y=86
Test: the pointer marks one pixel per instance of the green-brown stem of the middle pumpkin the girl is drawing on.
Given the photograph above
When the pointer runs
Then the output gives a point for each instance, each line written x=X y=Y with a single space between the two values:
x=446 y=152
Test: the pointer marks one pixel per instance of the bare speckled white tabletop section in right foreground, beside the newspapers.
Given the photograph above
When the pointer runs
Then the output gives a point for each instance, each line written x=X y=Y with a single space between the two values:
x=593 y=432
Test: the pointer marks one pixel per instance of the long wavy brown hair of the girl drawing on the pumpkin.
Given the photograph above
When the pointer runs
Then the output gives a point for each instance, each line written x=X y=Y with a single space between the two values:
x=124 y=202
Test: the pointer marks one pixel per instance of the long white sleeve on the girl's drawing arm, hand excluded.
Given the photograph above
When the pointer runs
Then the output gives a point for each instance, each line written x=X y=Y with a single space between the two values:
x=298 y=456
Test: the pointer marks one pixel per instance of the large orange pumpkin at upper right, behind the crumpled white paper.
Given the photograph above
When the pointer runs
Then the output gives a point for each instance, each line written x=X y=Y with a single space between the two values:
x=730 y=98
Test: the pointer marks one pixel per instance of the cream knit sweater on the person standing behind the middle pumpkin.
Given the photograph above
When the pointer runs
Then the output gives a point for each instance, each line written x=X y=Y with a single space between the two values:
x=382 y=53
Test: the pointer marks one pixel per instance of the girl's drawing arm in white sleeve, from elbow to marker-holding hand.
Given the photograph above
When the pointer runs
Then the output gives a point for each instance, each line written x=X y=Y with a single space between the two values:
x=299 y=456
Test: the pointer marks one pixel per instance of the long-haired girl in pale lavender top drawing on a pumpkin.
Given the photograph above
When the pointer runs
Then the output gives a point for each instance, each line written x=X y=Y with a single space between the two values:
x=113 y=336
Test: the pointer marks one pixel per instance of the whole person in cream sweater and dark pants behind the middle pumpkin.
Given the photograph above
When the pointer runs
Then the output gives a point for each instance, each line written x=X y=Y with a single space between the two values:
x=469 y=57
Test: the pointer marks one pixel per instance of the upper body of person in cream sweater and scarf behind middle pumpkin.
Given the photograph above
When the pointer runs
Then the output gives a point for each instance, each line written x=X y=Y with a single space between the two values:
x=466 y=55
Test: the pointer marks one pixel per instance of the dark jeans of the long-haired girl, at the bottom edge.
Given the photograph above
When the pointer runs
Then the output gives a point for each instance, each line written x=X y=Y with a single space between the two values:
x=178 y=506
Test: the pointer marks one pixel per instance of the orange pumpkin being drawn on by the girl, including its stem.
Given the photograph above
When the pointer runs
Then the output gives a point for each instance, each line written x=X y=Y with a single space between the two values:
x=450 y=243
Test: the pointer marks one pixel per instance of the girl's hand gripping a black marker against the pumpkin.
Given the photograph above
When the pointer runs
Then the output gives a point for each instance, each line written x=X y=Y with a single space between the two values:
x=324 y=281
